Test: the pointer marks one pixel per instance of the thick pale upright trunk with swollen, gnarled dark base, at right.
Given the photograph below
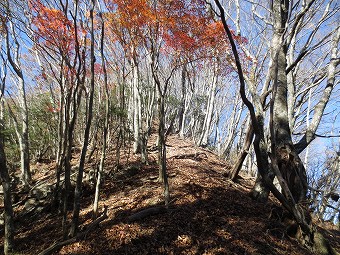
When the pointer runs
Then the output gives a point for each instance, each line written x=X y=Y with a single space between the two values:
x=289 y=163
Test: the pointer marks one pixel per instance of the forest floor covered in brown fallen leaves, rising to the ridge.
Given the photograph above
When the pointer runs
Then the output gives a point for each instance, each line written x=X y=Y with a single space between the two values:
x=208 y=213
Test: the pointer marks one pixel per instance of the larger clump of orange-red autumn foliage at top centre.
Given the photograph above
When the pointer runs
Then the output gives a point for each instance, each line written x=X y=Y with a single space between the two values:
x=185 y=27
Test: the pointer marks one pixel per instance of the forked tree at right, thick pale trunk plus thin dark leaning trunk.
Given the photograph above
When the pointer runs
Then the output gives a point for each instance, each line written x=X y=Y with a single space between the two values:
x=285 y=162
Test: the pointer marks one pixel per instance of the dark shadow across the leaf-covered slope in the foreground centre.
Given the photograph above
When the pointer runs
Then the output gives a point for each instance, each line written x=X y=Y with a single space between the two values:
x=218 y=221
